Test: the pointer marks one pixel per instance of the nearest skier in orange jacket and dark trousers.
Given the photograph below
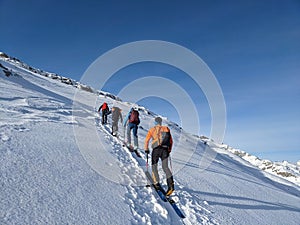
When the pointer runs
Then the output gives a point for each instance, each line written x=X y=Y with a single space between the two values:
x=161 y=147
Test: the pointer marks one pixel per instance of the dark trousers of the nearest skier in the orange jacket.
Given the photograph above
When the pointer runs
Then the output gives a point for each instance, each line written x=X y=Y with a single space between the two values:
x=163 y=154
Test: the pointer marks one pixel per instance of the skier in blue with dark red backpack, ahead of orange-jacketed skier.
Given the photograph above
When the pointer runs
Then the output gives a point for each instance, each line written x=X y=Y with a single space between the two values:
x=133 y=121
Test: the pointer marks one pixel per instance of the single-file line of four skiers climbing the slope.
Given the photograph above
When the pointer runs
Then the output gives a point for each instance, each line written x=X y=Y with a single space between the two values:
x=162 y=141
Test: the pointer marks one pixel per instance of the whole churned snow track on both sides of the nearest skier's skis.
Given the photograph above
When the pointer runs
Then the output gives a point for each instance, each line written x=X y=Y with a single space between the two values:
x=145 y=205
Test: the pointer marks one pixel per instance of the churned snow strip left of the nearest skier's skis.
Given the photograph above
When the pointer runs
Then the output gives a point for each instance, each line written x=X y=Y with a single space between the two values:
x=139 y=198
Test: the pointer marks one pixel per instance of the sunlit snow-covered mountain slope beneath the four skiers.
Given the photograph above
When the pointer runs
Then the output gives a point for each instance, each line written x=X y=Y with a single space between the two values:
x=46 y=179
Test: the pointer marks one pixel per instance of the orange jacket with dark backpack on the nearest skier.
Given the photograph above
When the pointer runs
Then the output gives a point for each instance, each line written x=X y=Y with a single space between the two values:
x=161 y=136
